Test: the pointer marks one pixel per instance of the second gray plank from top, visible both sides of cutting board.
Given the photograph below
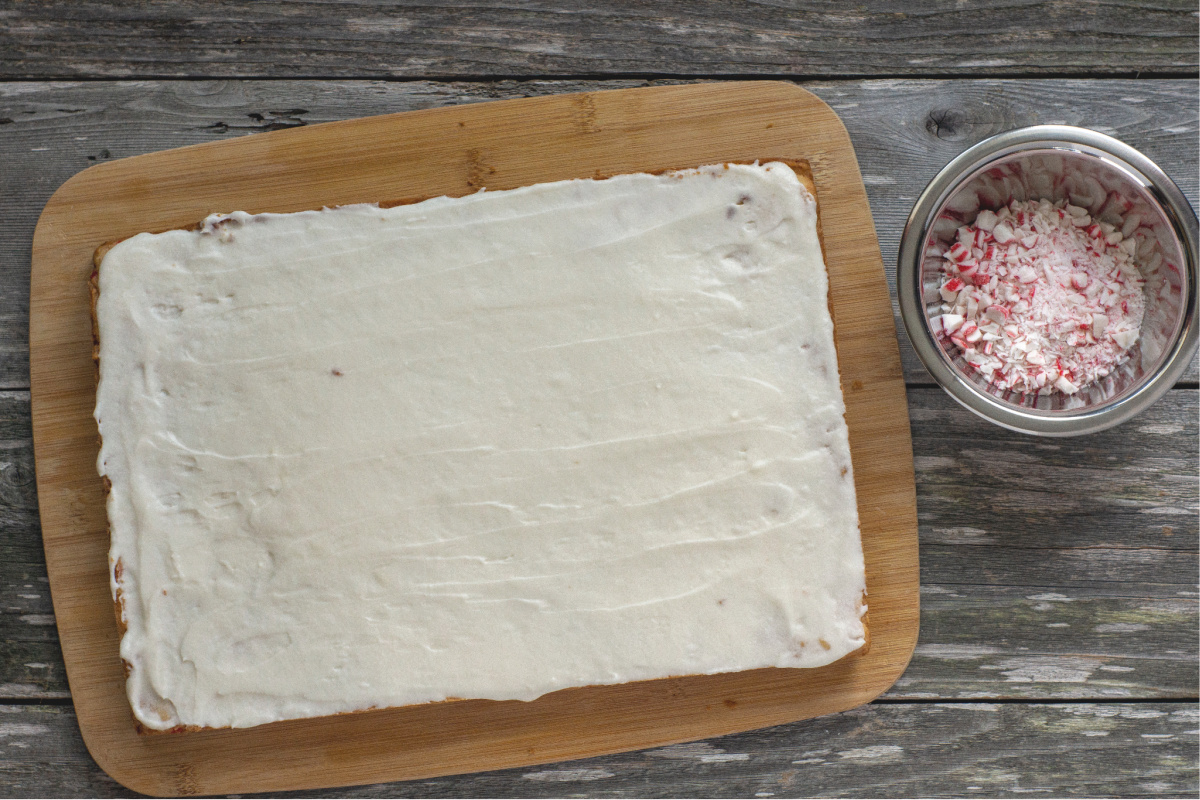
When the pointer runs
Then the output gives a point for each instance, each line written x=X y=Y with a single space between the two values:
x=904 y=131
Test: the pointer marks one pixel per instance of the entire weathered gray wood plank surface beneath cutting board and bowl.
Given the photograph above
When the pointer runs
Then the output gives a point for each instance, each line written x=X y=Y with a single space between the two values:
x=1059 y=648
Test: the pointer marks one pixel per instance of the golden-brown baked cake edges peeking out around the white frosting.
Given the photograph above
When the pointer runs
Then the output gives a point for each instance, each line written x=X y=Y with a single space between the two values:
x=803 y=172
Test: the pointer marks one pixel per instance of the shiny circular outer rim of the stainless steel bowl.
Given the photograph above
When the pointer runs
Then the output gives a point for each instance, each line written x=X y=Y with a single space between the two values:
x=913 y=311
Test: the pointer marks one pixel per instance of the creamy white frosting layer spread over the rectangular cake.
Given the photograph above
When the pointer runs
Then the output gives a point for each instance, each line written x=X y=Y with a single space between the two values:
x=587 y=432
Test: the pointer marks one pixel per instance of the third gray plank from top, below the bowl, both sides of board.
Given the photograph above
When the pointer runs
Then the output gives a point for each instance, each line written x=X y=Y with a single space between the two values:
x=1060 y=569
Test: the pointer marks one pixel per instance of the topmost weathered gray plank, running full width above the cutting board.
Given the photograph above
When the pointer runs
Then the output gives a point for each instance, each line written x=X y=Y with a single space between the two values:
x=65 y=39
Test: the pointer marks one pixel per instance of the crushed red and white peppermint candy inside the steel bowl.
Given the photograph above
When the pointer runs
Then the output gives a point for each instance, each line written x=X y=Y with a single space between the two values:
x=1041 y=298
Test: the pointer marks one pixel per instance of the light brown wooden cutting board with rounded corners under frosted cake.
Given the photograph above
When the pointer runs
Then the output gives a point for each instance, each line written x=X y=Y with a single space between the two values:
x=455 y=152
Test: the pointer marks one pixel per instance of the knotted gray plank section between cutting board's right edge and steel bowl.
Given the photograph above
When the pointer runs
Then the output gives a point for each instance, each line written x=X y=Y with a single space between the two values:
x=905 y=131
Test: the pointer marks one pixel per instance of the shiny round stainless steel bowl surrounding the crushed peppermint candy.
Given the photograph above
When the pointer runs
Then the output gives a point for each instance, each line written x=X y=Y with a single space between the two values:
x=1114 y=182
